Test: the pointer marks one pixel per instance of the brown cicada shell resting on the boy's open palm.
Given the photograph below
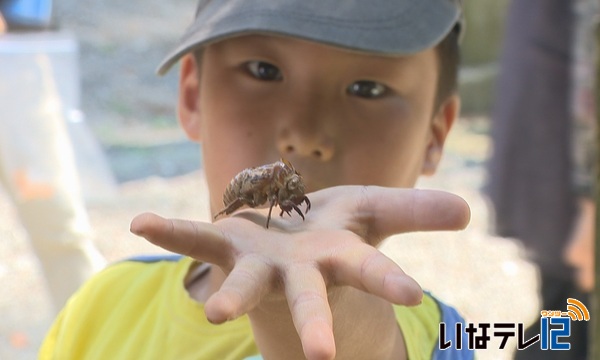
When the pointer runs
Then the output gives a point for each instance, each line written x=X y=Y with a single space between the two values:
x=276 y=184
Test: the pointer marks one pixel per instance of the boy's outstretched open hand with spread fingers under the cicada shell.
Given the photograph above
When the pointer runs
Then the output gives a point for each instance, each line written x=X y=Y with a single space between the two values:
x=306 y=262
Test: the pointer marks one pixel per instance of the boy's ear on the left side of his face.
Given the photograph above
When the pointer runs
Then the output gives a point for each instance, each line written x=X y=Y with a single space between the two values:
x=188 y=106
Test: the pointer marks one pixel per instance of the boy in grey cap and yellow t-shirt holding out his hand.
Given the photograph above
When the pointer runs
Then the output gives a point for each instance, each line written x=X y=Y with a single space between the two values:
x=352 y=94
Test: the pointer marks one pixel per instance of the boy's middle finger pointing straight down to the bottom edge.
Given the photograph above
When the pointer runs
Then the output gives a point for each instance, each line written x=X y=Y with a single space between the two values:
x=307 y=298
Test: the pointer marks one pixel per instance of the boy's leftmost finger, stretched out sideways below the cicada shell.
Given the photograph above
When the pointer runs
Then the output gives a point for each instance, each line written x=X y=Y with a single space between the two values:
x=202 y=241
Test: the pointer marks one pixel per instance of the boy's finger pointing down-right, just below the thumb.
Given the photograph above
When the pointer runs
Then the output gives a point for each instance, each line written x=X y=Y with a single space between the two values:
x=370 y=270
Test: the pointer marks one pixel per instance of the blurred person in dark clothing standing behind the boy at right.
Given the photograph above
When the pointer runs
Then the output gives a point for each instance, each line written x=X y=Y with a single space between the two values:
x=531 y=184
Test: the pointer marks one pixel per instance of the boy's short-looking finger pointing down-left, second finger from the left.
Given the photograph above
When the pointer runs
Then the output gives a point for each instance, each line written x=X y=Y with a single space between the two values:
x=242 y=290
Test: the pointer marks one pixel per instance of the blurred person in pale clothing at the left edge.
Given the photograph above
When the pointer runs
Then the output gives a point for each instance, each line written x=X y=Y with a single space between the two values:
x=37 y=164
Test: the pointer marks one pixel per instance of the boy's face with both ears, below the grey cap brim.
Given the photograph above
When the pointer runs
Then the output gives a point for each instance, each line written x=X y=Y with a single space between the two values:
x=339 y=117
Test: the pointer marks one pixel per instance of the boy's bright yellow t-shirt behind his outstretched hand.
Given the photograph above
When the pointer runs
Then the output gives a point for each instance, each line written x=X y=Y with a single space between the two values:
x=140 y=309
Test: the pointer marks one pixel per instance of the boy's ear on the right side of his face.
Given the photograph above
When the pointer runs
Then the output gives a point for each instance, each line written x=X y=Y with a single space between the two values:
x=440 y=127
